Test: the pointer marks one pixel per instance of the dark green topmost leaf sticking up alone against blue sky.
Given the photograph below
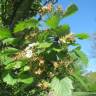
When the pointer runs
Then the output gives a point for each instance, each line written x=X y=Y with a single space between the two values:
x=70 y=10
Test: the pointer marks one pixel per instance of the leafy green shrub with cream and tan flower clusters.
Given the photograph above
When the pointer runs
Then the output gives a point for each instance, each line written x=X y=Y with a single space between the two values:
x=36 y=62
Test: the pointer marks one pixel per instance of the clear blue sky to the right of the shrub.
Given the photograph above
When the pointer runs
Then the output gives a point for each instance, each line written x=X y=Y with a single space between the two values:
x=83 y=21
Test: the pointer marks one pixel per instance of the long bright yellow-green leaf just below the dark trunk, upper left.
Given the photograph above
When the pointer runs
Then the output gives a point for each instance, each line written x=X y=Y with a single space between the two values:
x=26 y=24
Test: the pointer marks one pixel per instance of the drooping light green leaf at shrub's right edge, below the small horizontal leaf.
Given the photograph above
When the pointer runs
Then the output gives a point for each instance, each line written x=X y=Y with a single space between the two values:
x=82 y=56
